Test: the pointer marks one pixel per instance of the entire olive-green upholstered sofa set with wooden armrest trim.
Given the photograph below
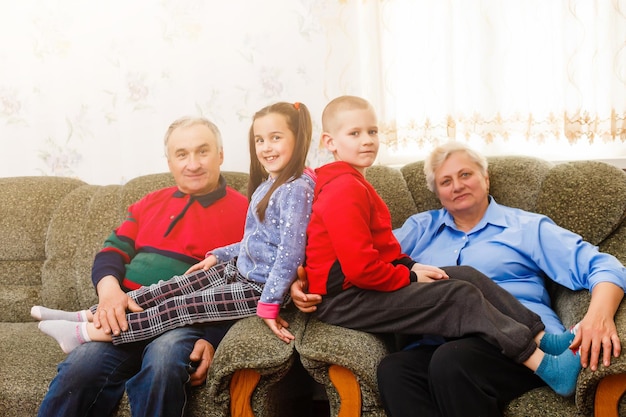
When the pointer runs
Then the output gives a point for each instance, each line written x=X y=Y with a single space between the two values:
x=51 y=227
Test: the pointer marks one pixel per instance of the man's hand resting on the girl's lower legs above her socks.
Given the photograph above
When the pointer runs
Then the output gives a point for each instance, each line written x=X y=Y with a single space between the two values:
x=113 y=303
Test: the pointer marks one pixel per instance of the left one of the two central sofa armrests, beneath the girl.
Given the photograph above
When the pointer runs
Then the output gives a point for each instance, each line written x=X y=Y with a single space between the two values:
x=251 y=345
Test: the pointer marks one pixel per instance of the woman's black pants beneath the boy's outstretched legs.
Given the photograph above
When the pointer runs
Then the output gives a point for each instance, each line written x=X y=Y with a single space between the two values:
x=464 y=377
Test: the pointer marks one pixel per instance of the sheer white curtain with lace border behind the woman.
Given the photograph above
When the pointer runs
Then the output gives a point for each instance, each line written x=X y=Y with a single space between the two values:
x=534 y=76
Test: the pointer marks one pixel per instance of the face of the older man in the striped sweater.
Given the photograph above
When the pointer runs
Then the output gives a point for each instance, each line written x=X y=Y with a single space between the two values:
x=194 y=159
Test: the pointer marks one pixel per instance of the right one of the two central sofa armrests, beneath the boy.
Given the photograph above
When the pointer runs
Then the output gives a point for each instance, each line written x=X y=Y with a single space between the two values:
x=324 y=345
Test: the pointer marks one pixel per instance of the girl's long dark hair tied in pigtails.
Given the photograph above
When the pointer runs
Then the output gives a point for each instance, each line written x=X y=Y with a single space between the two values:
x=299 y=122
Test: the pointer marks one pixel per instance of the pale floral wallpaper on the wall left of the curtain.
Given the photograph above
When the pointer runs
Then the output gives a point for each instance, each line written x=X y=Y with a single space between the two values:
x=87 y=89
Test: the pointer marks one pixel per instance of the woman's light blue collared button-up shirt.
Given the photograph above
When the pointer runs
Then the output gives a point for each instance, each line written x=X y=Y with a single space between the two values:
x=515 y=248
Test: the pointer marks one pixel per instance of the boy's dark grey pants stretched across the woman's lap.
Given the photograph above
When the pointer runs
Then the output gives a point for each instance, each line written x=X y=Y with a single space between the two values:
x=467 y=304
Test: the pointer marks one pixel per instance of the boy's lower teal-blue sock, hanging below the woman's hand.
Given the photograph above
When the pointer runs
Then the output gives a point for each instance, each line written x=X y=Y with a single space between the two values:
x=560 y=372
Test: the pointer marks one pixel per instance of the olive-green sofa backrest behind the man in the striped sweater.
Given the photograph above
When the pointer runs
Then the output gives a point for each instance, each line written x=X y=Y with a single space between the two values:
x=52 y=228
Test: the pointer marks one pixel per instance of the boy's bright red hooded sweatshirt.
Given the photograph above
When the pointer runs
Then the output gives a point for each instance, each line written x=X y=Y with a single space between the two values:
x=350 y=240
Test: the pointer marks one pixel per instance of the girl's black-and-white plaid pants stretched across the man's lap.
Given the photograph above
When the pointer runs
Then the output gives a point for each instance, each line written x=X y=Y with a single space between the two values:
x=219 y=294
